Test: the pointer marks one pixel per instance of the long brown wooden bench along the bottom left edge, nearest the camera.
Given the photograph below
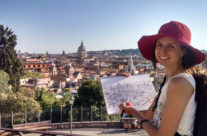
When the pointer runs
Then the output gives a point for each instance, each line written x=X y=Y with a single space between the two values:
x=10 y=131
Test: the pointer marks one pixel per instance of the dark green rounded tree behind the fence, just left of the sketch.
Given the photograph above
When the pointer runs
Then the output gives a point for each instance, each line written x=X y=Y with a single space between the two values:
x=90 y=93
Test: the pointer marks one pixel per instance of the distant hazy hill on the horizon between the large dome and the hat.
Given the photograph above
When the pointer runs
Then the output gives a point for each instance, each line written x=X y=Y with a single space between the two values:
x=117 y=52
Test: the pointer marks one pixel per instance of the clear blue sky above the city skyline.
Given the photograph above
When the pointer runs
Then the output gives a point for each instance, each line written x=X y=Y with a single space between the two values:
x=55 y=25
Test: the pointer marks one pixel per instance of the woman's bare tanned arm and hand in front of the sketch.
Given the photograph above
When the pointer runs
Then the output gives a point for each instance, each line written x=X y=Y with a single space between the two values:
x=178 y=95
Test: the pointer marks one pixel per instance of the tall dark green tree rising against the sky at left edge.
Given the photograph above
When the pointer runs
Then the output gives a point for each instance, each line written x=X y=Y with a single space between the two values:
x=8 y=57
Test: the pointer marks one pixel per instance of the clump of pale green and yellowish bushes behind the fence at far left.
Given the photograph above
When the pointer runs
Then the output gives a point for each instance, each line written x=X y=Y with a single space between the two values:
x=18 y=101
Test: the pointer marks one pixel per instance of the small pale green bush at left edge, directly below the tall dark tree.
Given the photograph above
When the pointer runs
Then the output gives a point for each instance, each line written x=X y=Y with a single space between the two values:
x=4 y=78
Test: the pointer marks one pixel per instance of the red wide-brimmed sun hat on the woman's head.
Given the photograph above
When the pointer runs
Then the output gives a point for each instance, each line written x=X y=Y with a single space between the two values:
x=175 y=30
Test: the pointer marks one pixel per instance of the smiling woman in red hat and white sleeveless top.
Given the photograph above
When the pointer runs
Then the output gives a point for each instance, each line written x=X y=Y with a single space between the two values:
x=175 y=105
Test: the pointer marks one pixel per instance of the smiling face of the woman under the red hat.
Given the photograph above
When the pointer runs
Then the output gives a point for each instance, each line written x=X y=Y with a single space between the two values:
x=168 y=52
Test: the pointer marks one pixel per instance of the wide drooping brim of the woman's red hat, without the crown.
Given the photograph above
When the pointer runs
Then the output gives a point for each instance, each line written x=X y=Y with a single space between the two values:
x=146 y=46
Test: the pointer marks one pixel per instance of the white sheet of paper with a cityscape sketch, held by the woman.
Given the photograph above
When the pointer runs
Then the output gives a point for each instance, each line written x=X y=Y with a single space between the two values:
x=136 y=89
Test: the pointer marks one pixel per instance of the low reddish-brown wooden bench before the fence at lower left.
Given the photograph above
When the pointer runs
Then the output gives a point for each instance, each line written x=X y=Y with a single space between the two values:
x=43 y=125
